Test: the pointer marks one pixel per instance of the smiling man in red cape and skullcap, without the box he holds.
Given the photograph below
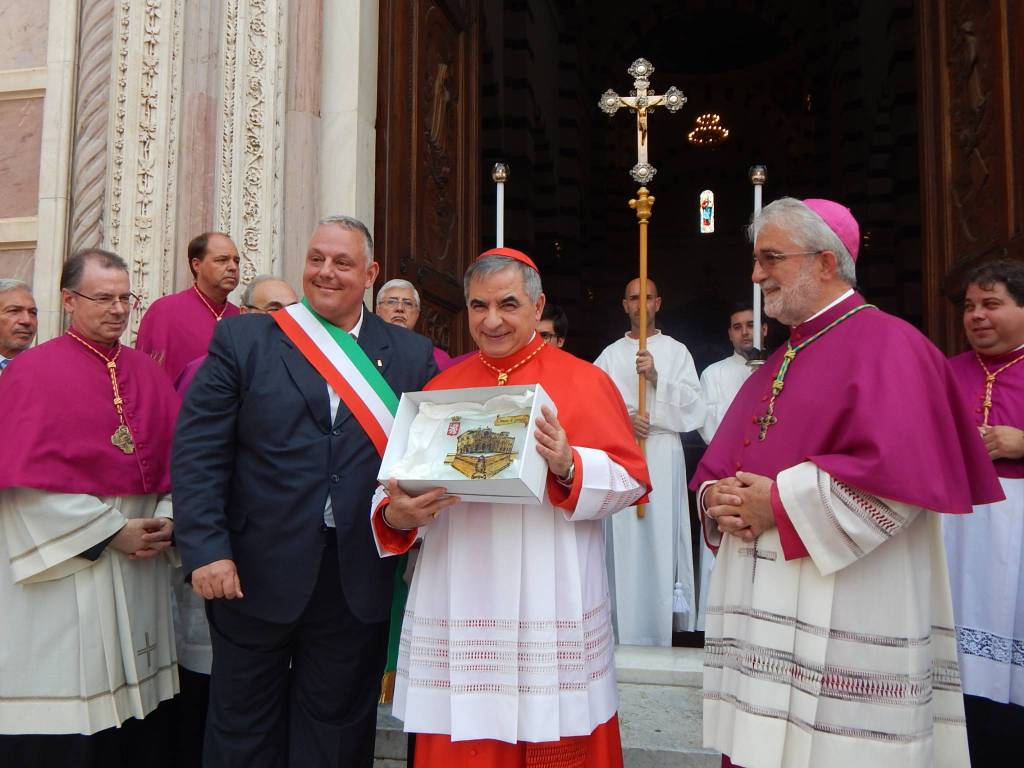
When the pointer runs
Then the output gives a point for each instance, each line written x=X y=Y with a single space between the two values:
x=507 y=649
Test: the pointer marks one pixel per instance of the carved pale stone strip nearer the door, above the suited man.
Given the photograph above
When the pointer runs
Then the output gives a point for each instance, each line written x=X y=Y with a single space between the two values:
x=250 y=173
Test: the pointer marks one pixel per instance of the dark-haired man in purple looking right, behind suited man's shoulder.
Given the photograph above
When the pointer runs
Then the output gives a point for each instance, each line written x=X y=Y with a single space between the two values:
x=178 y=329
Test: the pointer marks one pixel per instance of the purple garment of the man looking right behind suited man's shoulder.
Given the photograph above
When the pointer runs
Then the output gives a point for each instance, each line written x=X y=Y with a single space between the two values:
x=178 y=329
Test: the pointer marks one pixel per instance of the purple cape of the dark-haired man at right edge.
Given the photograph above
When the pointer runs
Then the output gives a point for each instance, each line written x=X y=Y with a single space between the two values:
x=1008 y=397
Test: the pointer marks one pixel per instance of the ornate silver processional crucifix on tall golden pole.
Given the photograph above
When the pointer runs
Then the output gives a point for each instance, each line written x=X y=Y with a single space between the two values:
x=641 y=102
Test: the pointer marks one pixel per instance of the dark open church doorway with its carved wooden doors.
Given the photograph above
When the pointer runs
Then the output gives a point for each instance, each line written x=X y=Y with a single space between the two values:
x=904 y=111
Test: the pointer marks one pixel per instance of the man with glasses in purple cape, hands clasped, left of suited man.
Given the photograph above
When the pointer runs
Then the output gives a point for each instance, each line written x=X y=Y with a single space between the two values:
x=88 y=652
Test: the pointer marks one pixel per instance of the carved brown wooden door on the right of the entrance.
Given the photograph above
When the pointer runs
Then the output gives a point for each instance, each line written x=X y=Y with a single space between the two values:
x=972 y=120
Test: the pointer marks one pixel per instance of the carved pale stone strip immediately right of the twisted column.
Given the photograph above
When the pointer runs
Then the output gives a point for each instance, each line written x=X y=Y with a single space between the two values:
x=142 y=179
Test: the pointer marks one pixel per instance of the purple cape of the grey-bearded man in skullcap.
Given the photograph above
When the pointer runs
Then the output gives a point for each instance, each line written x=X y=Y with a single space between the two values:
x=872 y=403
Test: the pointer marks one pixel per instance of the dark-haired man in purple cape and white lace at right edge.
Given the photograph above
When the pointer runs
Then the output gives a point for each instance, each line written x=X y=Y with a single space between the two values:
x=987 y=549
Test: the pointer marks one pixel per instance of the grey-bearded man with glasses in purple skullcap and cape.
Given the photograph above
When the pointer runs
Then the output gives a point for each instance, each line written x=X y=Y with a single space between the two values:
x=830 y=637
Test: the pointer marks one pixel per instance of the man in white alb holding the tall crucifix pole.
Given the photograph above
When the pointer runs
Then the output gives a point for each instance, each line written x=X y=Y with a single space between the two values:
x=654 y=554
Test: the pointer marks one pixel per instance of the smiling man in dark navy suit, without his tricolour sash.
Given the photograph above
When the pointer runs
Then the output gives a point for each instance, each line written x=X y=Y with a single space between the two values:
x=273 y=477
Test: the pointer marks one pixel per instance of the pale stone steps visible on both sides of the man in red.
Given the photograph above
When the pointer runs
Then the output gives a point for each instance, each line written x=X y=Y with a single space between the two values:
x=660 y=712
